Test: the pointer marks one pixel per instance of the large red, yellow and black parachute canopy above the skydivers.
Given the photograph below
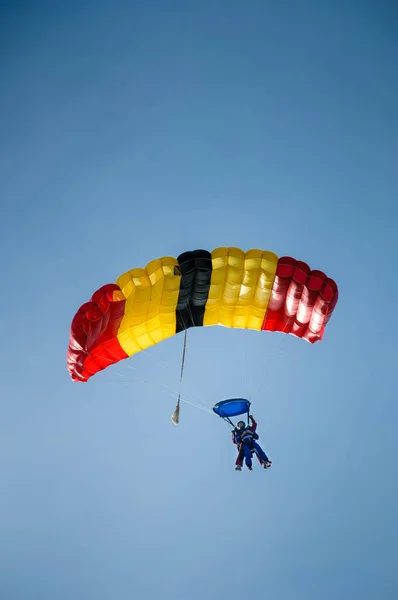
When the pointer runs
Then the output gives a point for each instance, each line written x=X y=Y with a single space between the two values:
x=229 y=287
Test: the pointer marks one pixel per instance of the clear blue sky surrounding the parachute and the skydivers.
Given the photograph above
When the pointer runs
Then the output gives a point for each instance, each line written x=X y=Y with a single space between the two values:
x=132 y=130
